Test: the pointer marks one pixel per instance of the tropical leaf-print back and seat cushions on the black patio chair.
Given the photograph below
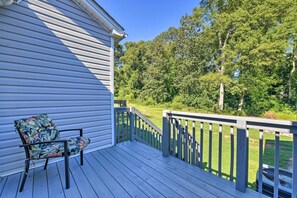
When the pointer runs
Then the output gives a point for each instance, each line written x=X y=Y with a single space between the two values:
x=41 y=128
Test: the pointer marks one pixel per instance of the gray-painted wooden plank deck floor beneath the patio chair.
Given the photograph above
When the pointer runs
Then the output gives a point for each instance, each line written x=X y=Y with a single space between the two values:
x=129 y=169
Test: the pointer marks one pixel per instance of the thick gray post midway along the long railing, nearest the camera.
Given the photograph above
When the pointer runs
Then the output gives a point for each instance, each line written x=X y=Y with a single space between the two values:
x=241 y=157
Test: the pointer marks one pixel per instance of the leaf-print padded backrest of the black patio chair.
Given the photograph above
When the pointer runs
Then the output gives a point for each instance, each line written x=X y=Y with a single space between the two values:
x=36 y=129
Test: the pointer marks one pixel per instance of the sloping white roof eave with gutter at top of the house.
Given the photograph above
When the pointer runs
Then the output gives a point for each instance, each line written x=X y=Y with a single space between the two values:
x=92 y=8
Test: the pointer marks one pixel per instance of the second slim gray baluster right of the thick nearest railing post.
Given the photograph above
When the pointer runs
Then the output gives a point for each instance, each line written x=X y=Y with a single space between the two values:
x=276 y=166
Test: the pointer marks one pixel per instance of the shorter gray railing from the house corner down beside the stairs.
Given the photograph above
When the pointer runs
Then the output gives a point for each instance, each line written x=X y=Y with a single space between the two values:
x=131 y=125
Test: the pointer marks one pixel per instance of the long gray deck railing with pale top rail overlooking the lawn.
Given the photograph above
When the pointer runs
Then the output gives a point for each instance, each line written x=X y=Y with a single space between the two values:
x=181 y=140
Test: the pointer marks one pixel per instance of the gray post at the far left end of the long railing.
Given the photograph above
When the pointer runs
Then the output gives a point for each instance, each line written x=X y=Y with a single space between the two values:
x=166 y=134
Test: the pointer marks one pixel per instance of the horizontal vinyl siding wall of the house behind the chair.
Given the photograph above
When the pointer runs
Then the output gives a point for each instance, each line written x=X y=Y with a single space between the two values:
x=54 y=59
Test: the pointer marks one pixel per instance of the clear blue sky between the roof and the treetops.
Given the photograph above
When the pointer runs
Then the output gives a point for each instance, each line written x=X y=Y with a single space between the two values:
x=144 y=20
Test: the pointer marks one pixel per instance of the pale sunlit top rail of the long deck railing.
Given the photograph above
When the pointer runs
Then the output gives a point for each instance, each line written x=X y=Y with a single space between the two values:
x=252 y=122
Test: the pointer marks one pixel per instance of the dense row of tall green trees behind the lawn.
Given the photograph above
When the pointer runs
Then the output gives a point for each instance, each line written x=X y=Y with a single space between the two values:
x=235 y=56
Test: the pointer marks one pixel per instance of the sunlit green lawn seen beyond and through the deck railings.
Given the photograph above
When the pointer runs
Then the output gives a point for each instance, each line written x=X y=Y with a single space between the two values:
x=155 y=115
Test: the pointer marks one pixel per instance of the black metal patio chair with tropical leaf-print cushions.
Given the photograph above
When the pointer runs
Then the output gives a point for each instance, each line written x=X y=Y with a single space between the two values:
x=41 y=140
